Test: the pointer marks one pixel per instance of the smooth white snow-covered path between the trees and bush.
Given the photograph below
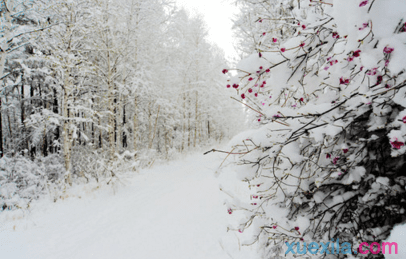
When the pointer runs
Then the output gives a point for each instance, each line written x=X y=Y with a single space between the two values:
x=170 y=211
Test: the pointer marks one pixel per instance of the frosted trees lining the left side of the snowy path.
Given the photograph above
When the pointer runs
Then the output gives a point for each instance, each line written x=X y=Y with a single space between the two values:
x=86 y=81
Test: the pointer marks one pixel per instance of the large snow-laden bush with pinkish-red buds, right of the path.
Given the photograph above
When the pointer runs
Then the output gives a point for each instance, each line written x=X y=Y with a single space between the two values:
x=326 y=85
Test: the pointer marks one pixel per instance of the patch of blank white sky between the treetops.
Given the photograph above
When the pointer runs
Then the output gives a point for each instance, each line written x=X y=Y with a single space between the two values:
x=217 y=14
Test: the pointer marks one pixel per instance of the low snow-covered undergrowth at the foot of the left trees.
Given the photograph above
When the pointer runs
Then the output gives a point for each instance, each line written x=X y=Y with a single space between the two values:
x=23 y=180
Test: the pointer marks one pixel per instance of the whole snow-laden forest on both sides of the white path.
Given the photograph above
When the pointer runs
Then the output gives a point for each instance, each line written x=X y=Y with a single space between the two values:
x=311 y=120
